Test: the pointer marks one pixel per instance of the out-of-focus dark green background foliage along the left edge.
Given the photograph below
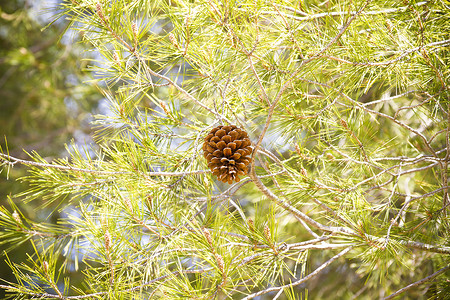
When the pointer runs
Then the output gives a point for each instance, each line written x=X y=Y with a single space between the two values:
x=43 y=104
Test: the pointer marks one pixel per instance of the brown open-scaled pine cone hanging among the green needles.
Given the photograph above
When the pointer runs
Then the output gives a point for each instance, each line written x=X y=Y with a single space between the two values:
x=227 y=150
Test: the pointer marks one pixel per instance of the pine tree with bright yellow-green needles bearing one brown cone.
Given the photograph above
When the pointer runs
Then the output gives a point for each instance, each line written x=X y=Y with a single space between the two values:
x=346 y=108
